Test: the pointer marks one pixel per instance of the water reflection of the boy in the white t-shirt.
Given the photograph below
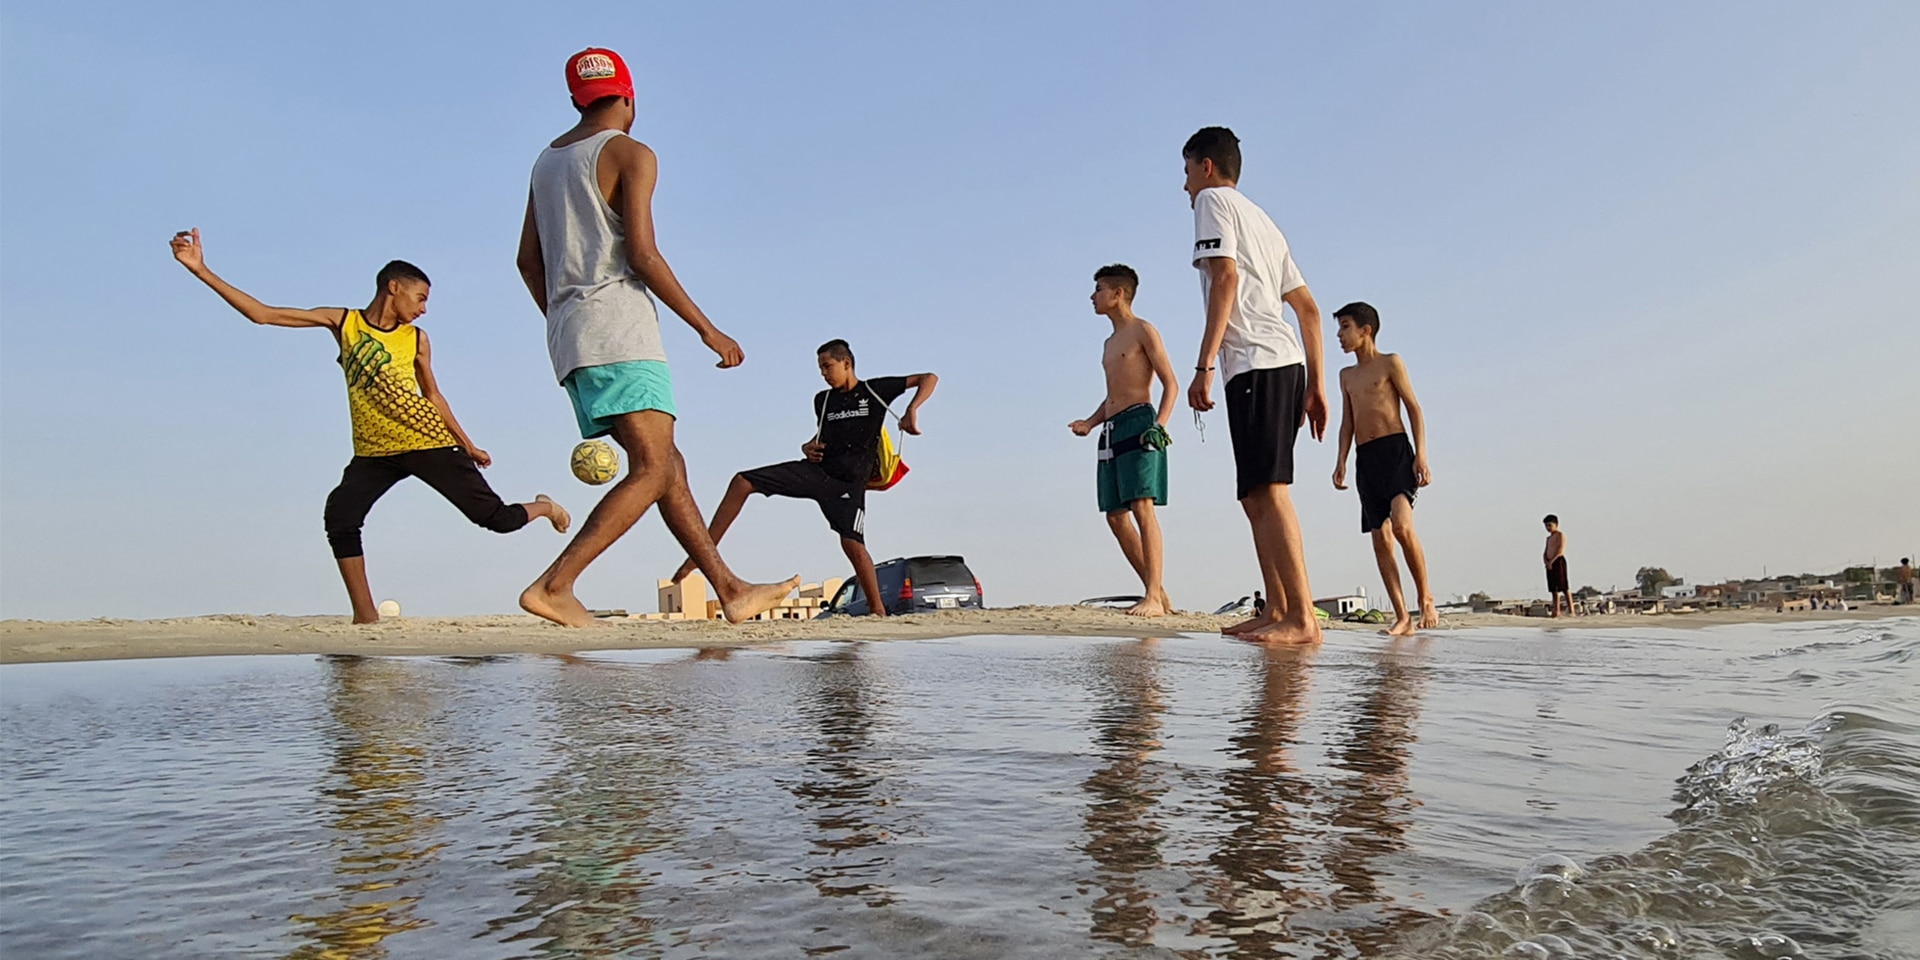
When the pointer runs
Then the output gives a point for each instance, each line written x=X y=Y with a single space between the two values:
x=1266 y=800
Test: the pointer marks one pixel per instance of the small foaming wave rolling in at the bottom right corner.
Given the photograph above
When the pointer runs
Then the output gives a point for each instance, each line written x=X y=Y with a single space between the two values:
x=1788 y=844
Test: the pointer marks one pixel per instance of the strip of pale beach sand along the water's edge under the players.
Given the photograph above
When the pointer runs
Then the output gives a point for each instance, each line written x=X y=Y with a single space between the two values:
x=477 y=636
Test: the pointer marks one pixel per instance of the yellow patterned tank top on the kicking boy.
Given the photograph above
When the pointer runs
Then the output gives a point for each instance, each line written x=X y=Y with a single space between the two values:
x=383 y=395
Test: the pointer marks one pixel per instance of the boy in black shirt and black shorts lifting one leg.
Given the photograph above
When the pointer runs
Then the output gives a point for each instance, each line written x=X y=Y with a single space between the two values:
x=840 y=460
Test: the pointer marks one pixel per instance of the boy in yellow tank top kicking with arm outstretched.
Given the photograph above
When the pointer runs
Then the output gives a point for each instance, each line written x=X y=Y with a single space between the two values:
x=402 y=423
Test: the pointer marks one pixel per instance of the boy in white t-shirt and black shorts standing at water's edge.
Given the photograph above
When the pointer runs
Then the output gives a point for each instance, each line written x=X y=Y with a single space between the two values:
x=1247 y=277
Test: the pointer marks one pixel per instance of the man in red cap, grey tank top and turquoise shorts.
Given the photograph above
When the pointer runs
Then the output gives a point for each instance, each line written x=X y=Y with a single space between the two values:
x=590 y=262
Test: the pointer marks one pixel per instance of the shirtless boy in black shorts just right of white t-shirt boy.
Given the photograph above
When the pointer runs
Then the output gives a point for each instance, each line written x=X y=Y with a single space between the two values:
x=1391 y=469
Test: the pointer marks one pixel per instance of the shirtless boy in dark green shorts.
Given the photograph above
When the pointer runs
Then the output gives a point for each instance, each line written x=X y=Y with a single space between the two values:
x=1132 y=475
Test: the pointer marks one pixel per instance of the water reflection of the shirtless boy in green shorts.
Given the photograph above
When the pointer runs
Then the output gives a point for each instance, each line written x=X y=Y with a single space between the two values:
x=1122 y=838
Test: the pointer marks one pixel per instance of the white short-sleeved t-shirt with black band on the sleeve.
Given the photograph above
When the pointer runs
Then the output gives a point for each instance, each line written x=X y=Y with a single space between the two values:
x=1259 y=335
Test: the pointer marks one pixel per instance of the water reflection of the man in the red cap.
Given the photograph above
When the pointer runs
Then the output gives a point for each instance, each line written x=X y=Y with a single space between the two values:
x=610 y=804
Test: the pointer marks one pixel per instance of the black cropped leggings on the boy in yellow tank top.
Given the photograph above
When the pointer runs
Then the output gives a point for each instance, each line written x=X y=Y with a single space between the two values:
x=448 y=471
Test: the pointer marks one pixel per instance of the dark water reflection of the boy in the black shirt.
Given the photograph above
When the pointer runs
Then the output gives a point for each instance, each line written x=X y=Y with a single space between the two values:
x=844 y=775
